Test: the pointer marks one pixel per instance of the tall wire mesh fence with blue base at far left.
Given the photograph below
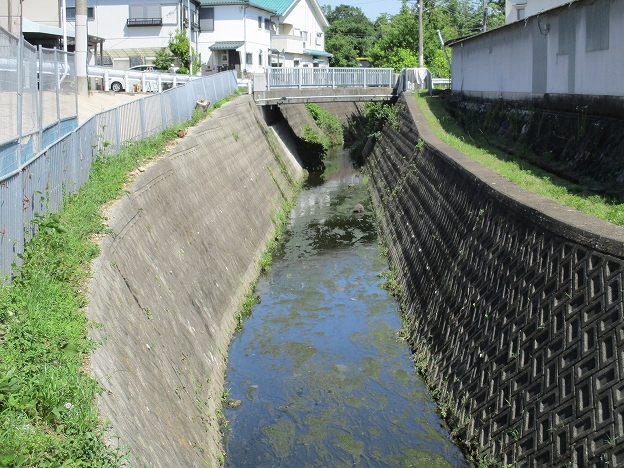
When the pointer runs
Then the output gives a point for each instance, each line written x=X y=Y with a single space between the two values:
x=38 y=99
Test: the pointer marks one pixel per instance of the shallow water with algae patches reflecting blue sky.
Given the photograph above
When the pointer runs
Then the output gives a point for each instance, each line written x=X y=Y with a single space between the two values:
x=322 y=378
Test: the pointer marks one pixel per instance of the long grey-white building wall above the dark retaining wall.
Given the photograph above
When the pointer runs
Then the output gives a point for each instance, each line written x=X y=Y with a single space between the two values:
x=525 y=58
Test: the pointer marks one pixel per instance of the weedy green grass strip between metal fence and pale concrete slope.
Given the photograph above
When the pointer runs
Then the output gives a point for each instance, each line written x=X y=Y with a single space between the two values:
x=48 y=416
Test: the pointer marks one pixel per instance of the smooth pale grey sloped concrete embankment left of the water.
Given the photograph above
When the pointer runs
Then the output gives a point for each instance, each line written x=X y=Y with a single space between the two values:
x=185 y=244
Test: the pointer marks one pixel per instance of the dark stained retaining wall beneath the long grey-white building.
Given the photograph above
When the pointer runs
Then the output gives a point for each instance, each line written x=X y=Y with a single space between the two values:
x=578 y=143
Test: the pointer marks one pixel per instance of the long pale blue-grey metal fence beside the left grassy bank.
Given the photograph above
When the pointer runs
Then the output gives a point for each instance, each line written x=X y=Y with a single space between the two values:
x=39 y=184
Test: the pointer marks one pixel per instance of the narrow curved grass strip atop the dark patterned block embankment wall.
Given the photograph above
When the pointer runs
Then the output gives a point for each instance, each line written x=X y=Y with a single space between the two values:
x=515 y=169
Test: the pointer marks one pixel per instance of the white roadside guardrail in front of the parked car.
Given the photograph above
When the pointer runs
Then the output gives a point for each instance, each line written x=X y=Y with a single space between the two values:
x=114 y=79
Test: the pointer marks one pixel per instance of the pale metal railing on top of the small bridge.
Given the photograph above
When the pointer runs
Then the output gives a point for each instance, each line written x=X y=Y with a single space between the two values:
x=307 y=77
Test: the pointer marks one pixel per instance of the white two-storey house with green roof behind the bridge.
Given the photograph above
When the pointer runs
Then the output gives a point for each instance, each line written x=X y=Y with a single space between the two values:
x=250 y=35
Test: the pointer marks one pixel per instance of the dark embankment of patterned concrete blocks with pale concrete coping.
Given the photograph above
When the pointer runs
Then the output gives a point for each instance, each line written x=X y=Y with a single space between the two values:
x=514 y=303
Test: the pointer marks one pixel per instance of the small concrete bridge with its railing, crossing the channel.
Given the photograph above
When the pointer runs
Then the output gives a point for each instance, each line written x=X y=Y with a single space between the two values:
x=302 y=85
